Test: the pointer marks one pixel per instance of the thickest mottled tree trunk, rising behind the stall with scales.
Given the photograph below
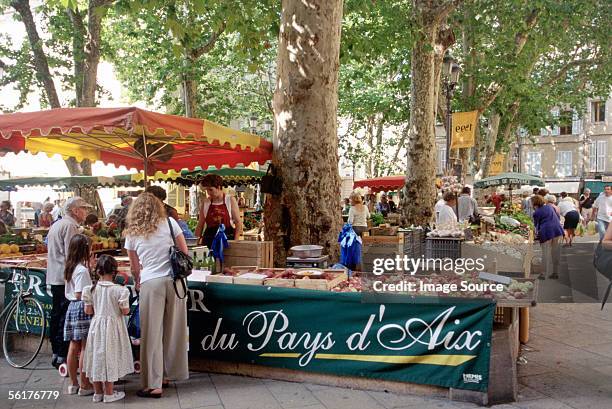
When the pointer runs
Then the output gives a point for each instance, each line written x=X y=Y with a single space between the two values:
x=306 y=142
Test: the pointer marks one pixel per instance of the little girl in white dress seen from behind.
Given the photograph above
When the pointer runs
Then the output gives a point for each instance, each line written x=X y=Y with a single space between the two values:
x=108 y=354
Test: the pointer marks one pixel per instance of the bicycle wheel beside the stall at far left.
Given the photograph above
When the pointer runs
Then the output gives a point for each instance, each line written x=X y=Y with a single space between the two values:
x=23 y=332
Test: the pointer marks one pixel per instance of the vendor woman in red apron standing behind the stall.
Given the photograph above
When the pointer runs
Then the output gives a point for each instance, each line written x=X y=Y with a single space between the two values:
x=218 y=208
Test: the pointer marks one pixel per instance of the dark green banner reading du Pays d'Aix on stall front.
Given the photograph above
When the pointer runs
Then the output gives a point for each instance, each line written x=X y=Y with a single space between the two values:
x=440 y=342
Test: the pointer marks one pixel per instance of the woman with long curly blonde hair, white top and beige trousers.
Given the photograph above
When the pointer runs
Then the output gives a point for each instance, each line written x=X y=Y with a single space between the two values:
x=163 y=315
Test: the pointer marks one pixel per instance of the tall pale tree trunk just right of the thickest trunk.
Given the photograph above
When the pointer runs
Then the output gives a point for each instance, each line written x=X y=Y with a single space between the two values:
x=420 y=190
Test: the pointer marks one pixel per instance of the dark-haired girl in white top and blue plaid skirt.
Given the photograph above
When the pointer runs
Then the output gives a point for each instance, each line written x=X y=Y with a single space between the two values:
x=76 y=275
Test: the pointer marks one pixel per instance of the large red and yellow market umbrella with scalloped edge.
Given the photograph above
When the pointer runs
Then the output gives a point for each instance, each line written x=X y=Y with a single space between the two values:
x=131 y=137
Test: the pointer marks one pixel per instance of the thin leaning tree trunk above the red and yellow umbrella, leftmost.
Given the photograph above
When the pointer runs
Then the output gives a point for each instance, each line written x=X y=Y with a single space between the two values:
x=41 y=63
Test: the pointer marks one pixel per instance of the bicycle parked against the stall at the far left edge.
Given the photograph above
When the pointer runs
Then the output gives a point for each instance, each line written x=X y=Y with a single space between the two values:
x=24 y=317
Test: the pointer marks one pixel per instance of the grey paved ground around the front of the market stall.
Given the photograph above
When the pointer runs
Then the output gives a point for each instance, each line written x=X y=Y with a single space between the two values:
x=568 y=365
